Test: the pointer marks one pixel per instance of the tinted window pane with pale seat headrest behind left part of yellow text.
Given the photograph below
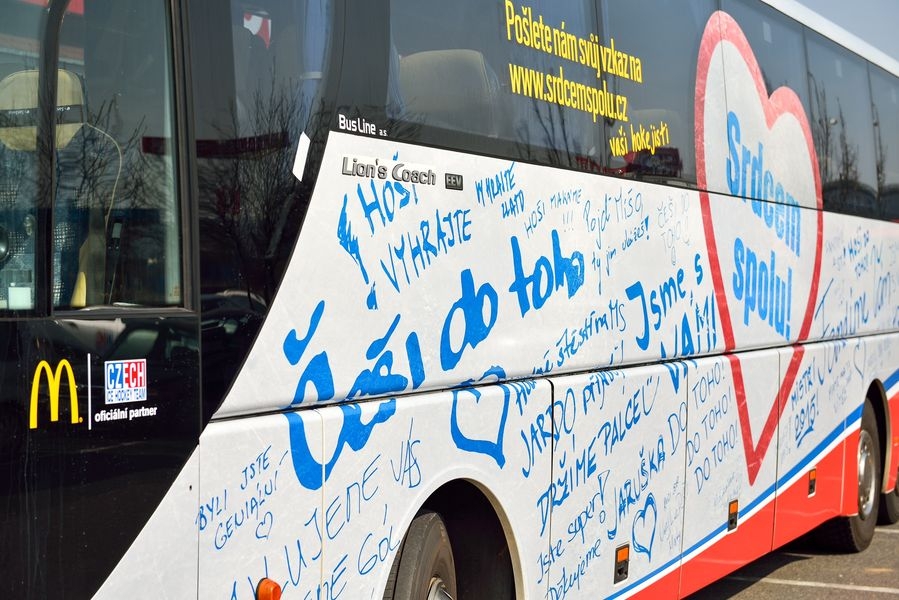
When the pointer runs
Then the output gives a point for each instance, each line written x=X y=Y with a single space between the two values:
x=455 y=66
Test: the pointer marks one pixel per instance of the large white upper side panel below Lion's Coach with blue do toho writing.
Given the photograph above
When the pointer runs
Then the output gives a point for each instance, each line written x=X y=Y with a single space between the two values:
x=512 y=269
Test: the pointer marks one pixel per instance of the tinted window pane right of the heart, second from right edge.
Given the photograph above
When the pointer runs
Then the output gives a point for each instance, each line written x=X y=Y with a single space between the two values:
x=841 y=127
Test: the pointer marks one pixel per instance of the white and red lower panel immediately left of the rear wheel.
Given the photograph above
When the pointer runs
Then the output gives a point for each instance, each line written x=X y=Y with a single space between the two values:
x=811 y=438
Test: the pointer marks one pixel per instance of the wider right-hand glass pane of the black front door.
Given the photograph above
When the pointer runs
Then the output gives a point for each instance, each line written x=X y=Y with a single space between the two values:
x=116 y=215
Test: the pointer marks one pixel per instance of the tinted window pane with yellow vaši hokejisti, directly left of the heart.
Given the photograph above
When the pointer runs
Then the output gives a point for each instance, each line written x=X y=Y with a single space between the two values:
x=665 y=35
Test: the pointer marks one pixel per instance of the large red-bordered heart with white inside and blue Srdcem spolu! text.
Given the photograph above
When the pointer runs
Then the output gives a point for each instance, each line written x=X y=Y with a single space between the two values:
x=760 y=148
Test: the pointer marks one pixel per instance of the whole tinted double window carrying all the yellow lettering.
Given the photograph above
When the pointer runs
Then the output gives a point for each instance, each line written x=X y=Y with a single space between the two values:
x=548 y=79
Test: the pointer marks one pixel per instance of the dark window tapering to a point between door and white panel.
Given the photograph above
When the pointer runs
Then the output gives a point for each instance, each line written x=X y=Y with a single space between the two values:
x=258 y=69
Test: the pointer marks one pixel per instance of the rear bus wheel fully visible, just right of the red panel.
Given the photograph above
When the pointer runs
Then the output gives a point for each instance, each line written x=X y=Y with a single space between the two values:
x=854 y=534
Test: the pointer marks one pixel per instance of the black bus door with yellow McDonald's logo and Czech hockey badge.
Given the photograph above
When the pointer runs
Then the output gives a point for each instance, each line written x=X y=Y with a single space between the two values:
x=99 y=390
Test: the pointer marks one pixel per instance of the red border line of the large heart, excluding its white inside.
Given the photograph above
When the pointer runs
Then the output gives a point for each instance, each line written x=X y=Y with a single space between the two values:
x=721 y=29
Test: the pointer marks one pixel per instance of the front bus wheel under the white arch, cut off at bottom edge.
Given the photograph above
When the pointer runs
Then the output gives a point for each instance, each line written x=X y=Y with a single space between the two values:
x=423 y=568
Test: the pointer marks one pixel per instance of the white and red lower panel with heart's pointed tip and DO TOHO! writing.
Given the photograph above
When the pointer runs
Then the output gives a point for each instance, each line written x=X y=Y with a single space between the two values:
x=731 y=457
